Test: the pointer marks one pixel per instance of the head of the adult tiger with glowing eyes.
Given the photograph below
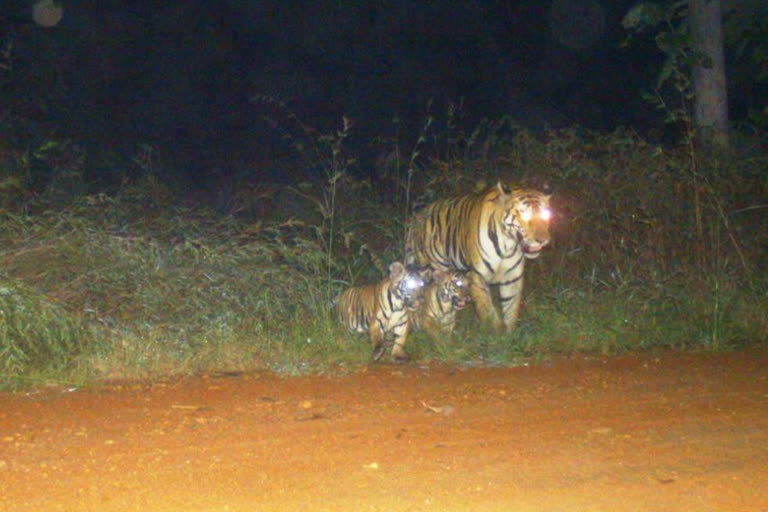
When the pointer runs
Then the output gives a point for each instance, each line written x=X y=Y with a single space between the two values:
x=526 y=217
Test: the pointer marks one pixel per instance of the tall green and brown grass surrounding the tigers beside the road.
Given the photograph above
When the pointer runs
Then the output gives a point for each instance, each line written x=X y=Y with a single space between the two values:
x=134 y=284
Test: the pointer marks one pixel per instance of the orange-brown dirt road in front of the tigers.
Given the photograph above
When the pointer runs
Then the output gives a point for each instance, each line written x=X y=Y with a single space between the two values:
x=662 y=432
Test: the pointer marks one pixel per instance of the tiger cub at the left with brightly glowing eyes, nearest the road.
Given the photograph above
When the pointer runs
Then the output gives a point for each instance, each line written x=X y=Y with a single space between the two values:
x=383 y=310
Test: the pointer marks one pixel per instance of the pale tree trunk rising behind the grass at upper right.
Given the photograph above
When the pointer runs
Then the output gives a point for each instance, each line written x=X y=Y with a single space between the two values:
x=710 y=114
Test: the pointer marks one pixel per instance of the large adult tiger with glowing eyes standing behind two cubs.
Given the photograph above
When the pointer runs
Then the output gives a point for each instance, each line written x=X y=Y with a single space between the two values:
x=489 y=235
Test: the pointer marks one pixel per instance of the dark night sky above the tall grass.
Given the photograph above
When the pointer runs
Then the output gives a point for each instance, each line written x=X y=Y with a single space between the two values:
x=183 y=75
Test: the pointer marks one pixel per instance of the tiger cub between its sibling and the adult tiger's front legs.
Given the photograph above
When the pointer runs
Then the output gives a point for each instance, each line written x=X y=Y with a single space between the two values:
x=443 y=297
